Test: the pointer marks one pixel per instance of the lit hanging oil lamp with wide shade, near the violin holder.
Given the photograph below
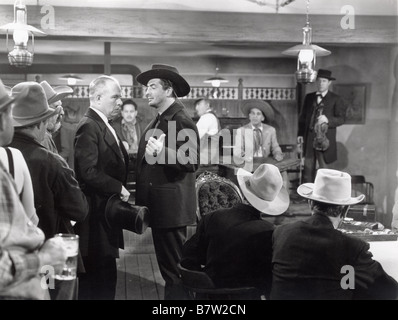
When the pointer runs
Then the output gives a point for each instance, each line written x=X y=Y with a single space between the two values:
x=306 y=53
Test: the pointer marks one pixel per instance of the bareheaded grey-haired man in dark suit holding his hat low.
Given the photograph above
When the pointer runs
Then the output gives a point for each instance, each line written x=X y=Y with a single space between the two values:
x=101 y=167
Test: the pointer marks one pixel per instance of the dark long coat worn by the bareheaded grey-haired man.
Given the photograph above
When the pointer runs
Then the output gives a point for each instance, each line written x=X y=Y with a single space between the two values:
x=101 y=170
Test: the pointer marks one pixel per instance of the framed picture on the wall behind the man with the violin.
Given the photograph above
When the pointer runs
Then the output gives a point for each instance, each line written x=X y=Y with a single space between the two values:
x=354 y=95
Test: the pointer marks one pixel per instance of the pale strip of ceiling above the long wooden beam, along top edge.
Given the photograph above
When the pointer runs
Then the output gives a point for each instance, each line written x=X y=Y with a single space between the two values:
x=361 y=7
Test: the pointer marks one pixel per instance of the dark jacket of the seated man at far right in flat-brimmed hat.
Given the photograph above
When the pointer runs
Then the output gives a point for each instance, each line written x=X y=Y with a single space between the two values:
x=307 y=260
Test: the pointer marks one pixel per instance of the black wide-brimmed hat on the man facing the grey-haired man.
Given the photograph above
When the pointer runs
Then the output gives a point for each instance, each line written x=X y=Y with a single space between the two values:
x=164 y=71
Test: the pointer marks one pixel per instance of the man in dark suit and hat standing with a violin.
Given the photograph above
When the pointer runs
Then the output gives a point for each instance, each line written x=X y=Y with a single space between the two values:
x=322 y=106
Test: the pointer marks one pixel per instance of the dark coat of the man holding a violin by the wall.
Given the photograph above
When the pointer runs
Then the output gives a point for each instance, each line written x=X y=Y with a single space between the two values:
x=334 y=109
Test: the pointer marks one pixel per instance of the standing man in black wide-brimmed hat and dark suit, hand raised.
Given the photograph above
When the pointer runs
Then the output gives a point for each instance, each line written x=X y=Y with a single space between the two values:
x=168 y=156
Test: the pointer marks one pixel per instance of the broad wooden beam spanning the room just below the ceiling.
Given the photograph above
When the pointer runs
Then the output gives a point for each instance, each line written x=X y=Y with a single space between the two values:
x=136 y=25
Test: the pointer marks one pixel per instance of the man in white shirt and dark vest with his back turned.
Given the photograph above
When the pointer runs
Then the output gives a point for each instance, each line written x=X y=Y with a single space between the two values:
x=208 y=126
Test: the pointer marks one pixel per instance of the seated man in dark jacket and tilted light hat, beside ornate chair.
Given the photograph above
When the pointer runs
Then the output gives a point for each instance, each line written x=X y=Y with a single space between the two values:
x=234 y=245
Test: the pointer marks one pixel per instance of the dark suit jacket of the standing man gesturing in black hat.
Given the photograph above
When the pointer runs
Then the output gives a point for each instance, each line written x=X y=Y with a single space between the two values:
x=168 y=189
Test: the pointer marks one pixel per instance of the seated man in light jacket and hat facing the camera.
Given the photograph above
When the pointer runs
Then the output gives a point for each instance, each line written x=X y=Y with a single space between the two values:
x=257 y=139
